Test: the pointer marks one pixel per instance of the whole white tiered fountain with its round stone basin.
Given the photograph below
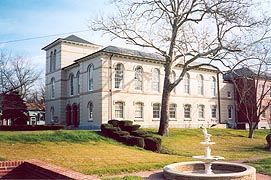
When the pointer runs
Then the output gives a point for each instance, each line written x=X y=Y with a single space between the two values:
x=207 y=169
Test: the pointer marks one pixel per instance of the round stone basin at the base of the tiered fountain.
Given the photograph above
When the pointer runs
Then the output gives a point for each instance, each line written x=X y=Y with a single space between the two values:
x=221 y=171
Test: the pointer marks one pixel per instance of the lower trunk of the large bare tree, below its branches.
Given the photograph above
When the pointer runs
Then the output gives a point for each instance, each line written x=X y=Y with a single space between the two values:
x=163 y=127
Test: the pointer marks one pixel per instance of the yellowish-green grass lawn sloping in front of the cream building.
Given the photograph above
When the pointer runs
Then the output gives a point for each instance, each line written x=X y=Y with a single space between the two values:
x=90 y=153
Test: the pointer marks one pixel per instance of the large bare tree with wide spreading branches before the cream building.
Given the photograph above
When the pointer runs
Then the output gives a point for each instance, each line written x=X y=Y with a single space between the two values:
x=185 y=32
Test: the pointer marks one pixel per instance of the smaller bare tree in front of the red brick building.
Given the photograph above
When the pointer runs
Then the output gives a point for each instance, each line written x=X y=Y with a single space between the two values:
x=252 y=83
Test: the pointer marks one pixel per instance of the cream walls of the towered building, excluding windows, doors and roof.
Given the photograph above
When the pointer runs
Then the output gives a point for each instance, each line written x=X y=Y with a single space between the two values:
x=104 y=95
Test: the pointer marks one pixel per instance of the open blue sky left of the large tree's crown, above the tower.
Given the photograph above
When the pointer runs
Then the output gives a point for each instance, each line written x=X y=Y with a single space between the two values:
x=33 y=19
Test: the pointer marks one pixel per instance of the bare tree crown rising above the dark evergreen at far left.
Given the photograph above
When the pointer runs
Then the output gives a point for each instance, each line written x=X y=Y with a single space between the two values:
x=16 y=74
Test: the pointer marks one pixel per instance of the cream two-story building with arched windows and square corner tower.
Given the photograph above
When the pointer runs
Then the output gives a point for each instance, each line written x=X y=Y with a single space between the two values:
x=87 y=84
